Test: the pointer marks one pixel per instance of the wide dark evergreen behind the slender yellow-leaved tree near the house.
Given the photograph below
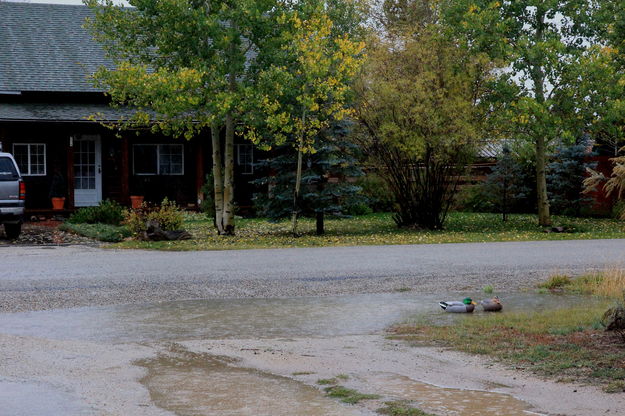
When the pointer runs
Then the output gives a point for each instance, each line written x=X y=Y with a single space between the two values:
x=327 y=175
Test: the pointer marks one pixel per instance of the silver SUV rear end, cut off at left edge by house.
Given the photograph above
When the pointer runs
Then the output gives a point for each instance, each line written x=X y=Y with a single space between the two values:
x=12 y=196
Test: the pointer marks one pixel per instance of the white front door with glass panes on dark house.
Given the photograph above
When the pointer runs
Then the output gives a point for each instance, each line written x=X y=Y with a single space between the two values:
x=87 y=170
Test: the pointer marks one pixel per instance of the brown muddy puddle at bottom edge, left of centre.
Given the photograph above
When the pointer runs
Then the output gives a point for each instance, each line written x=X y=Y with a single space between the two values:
x=200 y=385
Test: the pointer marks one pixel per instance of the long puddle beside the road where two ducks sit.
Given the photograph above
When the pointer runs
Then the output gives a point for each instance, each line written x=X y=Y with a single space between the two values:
x=252 y=318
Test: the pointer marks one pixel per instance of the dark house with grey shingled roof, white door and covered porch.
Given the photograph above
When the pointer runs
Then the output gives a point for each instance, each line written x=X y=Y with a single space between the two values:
x=46 y=98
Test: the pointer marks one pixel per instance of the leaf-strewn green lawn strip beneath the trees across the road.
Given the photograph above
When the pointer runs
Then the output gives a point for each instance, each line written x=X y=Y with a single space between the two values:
x=379 y=229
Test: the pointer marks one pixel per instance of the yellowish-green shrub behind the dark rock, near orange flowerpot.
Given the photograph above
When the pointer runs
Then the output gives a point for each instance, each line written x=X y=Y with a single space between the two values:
x=167 y=214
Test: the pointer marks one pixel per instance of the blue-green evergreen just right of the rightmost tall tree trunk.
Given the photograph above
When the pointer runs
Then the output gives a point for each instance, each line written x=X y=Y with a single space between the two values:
x=566 y=178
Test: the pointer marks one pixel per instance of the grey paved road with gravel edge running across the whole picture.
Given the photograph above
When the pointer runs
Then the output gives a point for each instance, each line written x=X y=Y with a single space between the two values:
x=38 y=278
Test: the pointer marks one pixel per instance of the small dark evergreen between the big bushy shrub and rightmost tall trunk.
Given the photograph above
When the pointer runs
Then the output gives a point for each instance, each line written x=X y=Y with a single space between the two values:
x=505 y=185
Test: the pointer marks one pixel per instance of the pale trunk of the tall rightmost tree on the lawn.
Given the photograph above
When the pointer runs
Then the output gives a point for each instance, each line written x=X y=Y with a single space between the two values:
x=538 y=77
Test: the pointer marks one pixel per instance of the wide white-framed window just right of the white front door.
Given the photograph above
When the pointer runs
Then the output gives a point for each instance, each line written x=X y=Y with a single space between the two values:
x=158 y=159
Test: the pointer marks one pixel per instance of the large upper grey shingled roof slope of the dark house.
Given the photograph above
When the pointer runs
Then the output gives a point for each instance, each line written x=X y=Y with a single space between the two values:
x=43 y=47
